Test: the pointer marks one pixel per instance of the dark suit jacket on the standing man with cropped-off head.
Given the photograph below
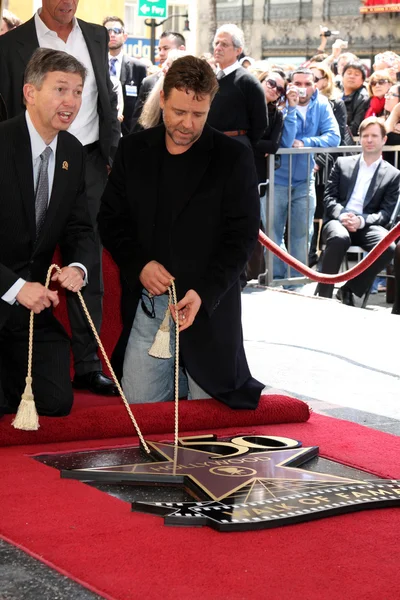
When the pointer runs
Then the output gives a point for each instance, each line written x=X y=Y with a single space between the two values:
x=17 y=47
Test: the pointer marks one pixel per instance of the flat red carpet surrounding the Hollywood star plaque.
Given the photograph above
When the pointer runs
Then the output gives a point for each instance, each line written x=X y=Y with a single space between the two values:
x=95 y=539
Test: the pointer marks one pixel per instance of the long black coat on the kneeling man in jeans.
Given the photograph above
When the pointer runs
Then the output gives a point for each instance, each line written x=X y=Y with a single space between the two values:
x=213 y=233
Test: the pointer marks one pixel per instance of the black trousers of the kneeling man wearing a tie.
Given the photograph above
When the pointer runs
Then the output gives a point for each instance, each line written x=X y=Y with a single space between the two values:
x=51 y=383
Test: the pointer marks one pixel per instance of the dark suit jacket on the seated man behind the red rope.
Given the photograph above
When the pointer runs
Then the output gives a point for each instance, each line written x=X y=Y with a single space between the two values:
x=381 y=196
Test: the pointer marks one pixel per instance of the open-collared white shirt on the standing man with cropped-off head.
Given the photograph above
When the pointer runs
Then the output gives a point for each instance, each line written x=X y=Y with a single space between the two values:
x=86 y=125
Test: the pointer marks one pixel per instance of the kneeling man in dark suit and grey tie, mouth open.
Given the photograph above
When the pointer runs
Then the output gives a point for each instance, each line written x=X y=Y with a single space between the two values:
x=43 y=203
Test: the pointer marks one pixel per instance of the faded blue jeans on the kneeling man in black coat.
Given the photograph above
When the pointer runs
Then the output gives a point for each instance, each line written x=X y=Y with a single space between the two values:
x=148 y=379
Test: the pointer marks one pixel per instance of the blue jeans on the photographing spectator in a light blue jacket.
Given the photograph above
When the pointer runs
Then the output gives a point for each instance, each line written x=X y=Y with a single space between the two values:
x=300 y=222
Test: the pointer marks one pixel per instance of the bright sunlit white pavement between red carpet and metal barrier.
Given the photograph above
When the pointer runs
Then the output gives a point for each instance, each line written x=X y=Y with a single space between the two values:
x=342 y=360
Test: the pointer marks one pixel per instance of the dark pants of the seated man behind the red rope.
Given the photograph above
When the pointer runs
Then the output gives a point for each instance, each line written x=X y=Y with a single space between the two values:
x=337 y=240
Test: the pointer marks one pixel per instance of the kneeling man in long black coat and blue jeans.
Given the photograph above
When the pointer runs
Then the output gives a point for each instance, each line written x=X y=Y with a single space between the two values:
x=198 y=226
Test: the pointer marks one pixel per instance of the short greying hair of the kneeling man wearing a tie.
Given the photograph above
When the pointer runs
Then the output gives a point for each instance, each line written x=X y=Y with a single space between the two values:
x=45 y=60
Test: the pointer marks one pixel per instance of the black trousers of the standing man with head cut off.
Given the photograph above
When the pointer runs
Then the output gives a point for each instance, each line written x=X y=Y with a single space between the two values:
x=84 y=345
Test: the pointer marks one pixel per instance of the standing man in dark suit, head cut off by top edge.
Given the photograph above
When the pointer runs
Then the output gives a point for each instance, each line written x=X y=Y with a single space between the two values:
x=96 y=127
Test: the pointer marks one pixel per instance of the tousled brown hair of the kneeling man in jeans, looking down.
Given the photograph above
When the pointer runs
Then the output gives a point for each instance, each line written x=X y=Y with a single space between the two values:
x=191 y=74
